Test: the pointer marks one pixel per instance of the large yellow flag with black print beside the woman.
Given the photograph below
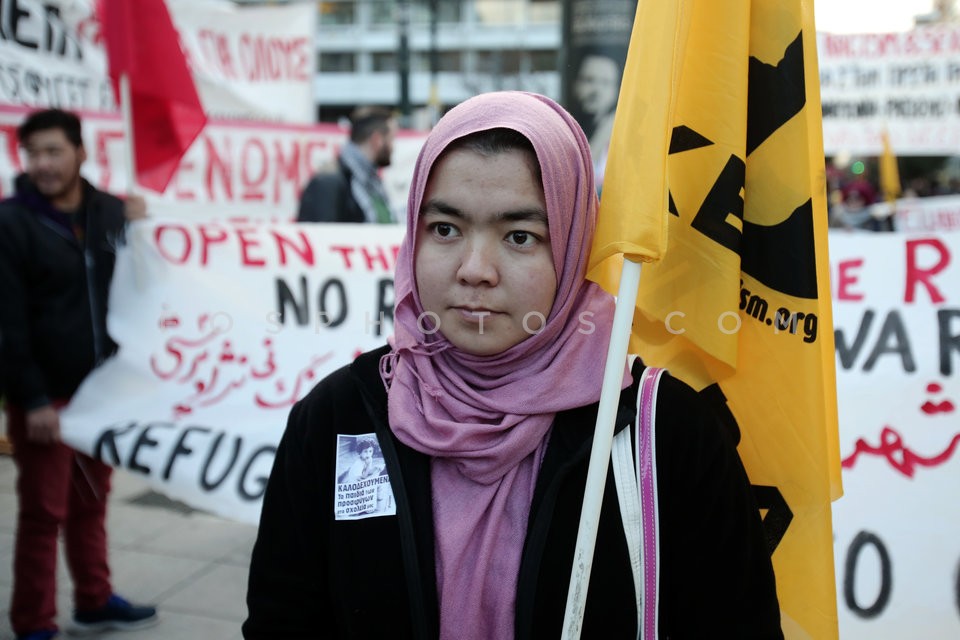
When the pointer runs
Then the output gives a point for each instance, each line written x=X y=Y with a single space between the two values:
x=739 y=302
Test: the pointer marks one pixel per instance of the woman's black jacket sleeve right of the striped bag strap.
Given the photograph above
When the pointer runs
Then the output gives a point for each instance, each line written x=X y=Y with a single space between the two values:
x=720 y=582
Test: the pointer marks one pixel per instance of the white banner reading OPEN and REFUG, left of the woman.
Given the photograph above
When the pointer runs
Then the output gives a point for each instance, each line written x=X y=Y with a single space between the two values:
x=222 y=327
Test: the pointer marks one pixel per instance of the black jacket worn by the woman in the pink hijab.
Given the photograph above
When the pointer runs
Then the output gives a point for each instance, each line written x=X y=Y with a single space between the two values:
x=312 y=576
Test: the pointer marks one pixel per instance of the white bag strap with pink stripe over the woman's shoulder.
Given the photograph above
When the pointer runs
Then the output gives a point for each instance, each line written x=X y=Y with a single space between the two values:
x=635 y=473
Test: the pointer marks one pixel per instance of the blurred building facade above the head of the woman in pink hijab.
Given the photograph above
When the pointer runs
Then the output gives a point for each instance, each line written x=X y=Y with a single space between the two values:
x=455 y=49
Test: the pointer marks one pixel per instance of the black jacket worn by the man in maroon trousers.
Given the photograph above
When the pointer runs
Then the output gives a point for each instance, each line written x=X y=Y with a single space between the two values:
x=54 y=287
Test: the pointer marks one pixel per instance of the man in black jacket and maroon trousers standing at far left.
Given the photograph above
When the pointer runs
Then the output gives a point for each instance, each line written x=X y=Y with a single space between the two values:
x=58 y=237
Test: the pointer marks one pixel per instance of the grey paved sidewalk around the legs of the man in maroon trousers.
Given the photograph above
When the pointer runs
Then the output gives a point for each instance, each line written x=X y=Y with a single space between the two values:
x=193 y=566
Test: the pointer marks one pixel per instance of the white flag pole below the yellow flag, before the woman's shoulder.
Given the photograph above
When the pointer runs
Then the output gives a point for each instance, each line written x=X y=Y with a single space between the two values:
x=600 y=453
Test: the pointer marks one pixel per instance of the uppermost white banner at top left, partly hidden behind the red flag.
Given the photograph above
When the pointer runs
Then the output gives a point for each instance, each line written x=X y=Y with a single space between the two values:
x=248 y=62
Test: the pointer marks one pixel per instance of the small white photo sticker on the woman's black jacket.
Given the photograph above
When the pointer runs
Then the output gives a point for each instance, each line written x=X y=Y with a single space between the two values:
x=362 y=487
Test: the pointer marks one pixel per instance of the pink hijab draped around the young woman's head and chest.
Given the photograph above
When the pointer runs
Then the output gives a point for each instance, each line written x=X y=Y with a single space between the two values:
x=485 y=420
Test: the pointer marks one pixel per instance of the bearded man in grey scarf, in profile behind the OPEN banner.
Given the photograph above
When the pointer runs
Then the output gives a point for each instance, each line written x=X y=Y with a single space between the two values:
x=349 y=190
